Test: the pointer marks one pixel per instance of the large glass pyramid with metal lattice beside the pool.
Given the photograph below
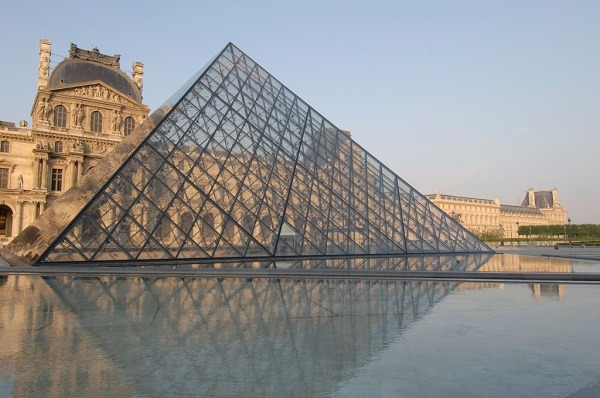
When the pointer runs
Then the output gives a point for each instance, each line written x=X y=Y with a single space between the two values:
x=236 y=166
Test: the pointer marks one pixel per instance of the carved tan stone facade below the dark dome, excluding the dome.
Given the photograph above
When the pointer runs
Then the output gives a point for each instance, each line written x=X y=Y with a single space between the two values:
x=39 y=164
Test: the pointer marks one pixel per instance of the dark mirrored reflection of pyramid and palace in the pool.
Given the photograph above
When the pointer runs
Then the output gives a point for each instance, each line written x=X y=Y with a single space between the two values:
x=115 y=336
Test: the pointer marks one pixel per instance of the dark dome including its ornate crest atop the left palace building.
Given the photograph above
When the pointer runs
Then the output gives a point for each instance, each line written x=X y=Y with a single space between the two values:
x=91 y=66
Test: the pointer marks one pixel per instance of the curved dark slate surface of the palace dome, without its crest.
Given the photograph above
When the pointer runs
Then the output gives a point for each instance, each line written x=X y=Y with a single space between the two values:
x=75 y=70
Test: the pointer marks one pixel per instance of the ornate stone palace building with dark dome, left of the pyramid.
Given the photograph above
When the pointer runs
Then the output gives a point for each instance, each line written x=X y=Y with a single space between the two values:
x=83 y=108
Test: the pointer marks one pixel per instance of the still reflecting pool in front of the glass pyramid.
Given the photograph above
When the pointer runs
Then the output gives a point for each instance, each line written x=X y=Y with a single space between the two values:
x=141 y=336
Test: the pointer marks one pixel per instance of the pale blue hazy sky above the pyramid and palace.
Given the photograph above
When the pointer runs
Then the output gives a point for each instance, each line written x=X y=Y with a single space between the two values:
x=480 y=99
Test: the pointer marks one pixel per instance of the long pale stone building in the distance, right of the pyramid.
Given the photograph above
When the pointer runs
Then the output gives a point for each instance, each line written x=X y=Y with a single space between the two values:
x=486 y=217
